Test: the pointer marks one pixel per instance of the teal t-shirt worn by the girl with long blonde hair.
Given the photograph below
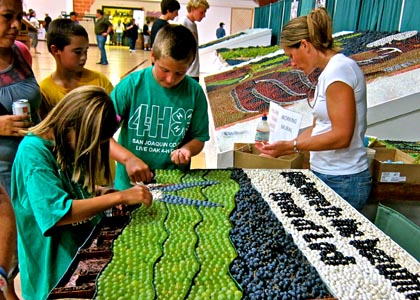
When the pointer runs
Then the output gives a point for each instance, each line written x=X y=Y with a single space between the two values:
x=41 y=196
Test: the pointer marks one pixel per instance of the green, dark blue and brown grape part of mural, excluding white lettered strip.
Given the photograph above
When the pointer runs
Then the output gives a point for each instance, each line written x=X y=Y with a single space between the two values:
x=181 y=249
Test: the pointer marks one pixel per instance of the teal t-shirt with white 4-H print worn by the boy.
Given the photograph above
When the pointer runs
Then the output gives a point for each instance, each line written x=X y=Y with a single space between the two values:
x=158 y=120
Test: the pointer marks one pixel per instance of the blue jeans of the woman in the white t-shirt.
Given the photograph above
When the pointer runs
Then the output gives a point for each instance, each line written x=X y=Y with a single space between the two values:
x=354 y=188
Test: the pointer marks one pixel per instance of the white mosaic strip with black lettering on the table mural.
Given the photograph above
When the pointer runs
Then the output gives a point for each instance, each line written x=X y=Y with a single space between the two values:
x=349 y=259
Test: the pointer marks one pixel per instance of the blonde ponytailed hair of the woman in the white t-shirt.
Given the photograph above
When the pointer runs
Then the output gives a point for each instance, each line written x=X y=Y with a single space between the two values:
x=316 y=28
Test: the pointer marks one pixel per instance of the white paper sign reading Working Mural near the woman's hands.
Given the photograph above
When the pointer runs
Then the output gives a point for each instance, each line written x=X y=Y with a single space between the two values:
x=284 y=123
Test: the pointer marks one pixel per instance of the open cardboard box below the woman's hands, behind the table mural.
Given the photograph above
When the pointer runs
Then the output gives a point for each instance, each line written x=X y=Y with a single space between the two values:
x=246 y=156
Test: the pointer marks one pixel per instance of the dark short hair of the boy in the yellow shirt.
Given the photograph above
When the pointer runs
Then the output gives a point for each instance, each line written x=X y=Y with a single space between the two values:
x=61 y=31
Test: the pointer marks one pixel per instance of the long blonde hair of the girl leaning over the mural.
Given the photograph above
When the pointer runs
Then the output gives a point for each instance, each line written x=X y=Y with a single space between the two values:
x=88 y=112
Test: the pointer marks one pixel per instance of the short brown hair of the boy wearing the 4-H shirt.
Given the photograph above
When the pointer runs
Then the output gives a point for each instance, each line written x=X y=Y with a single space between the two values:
x=175 y=41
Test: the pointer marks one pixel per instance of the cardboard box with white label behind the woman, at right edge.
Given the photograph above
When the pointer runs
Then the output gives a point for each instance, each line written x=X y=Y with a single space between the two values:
x=401 y=167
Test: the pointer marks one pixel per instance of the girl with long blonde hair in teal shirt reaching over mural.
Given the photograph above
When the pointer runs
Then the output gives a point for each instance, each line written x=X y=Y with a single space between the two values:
x=64 y=152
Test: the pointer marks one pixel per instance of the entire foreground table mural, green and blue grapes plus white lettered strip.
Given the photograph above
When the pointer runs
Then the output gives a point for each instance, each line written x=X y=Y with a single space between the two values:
x=275 y=234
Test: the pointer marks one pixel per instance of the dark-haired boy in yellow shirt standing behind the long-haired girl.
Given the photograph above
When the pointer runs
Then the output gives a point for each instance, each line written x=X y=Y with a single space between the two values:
x=68 y=43
